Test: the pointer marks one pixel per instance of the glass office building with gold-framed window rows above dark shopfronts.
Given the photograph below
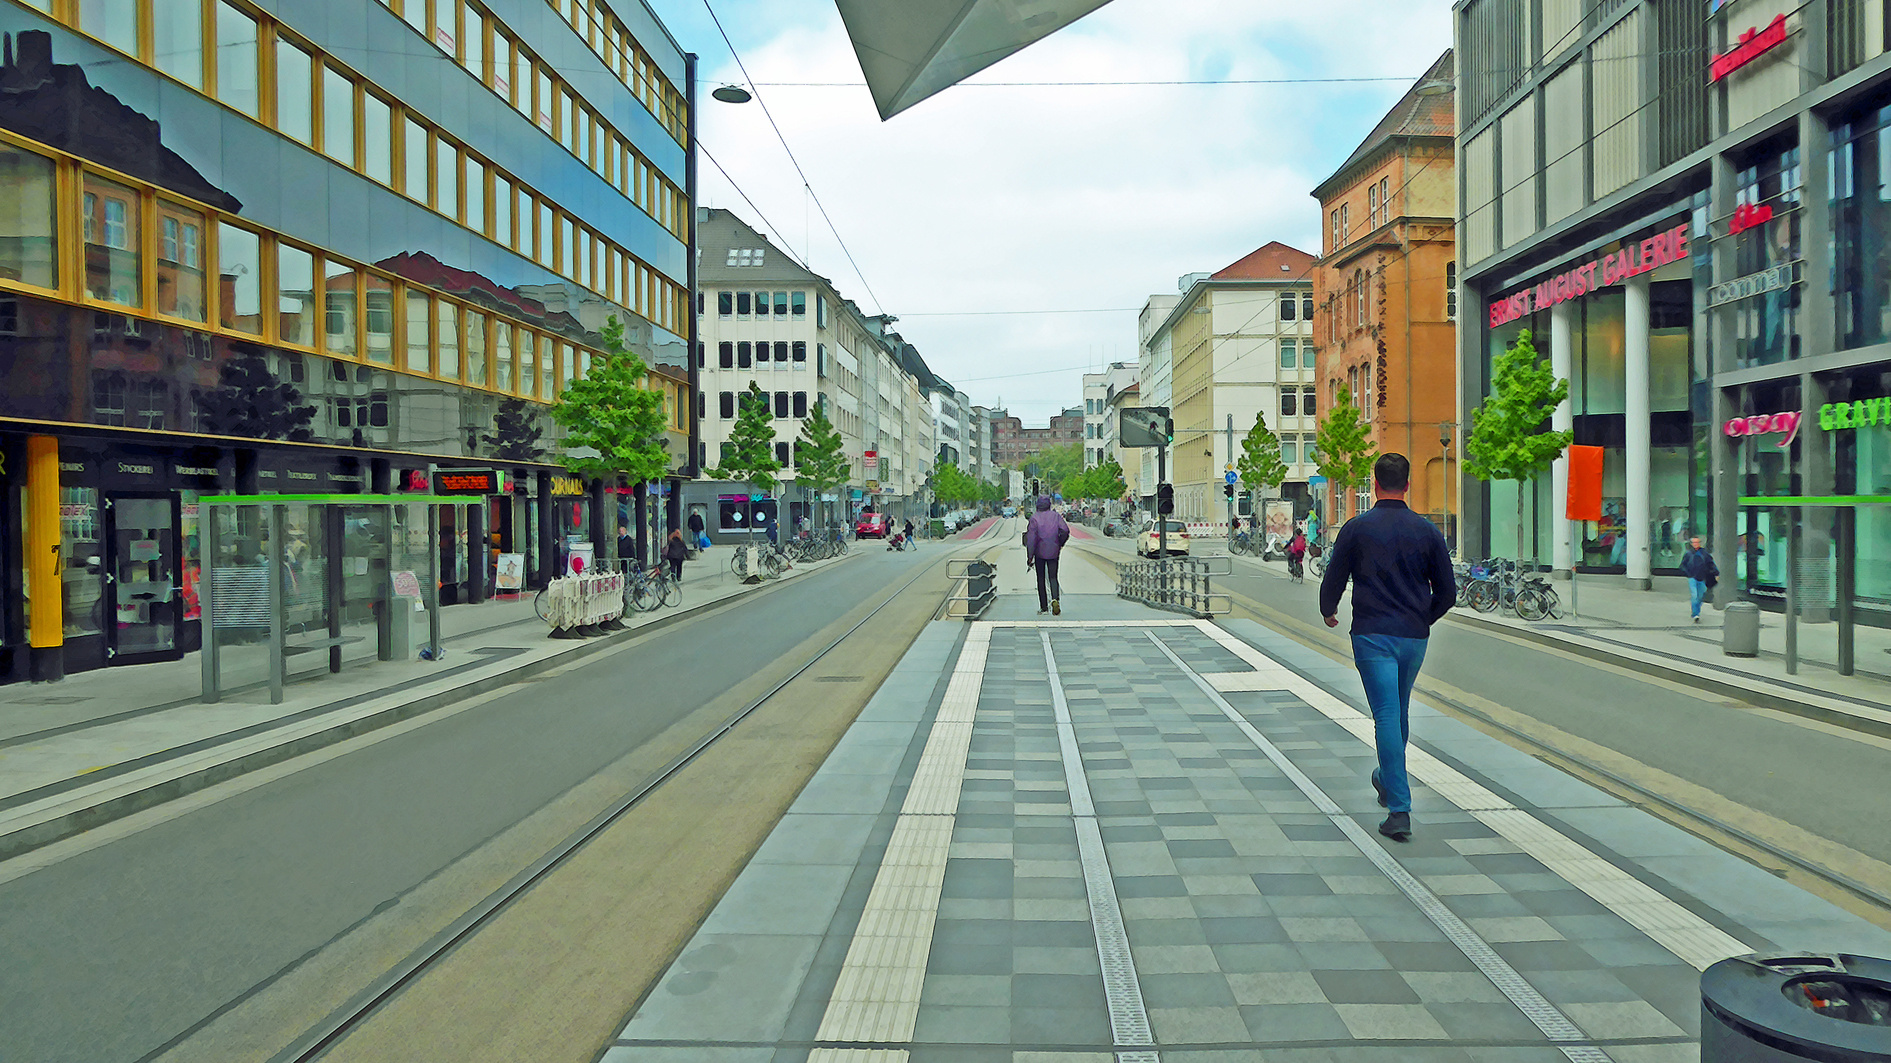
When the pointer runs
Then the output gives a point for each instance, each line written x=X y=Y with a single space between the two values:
x=317 y=247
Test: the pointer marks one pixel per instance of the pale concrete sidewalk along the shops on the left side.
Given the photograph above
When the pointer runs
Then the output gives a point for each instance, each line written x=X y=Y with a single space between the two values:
x=111 y=742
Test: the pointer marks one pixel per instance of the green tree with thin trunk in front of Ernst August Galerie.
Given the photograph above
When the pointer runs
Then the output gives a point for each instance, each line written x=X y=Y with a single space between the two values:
x=1510 y=438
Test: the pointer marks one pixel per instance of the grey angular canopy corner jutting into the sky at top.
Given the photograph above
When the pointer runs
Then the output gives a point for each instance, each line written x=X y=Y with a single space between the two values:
x=916 y=48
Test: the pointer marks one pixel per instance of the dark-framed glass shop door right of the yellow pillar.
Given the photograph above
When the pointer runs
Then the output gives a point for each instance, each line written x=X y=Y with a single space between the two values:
x=143 y=597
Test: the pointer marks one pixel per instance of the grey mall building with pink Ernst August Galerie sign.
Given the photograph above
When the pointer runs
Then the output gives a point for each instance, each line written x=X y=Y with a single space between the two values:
x=1686 y=209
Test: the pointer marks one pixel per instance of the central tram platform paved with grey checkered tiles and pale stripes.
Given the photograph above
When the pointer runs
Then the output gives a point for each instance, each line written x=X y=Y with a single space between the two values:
x=1120 y=835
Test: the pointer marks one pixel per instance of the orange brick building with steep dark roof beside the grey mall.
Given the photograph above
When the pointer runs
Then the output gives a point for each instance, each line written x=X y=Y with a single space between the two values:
x=1385 y=294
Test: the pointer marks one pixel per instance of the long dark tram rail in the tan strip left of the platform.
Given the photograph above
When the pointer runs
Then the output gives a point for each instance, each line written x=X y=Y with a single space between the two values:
x=319 y=1039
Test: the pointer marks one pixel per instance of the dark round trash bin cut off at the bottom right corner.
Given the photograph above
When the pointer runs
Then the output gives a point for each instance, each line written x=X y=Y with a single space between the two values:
x=1794 y=1007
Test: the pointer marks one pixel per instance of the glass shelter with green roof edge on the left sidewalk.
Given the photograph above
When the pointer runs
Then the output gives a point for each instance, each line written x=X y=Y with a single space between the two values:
x=300 y=584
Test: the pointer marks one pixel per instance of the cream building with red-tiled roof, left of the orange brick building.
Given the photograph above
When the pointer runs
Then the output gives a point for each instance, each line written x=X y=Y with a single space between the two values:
x=1230 y=341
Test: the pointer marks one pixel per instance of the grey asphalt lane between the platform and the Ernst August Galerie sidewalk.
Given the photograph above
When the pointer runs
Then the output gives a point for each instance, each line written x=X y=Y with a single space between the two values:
x=1813 y=778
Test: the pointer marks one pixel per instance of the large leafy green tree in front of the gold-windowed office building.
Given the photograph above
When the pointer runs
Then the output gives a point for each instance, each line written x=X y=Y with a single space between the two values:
x=614 y=417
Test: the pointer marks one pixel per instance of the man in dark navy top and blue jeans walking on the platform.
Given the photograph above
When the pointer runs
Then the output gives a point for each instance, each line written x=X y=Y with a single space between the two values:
x=1402 y=584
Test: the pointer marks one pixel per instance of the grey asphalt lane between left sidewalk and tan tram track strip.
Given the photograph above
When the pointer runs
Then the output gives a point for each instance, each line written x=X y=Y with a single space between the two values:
x=118 y=952
